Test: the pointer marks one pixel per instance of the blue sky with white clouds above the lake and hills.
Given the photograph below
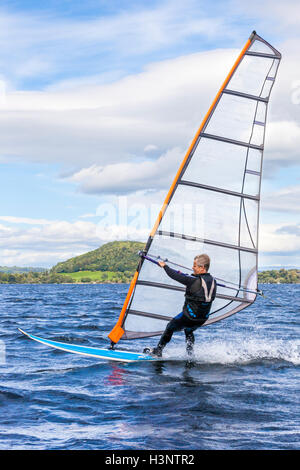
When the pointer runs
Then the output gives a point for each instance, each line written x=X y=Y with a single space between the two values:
x=97 y=87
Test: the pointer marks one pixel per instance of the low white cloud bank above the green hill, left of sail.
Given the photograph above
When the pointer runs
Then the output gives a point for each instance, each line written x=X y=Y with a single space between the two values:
x=48 y=243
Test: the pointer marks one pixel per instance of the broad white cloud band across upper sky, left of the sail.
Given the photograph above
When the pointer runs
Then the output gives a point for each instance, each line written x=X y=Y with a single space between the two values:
x=114 y=122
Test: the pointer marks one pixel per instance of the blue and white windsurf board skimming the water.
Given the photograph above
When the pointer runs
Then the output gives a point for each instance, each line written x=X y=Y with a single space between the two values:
x=109 y=354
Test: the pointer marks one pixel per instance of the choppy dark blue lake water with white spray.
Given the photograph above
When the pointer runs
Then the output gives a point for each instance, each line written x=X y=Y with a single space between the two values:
x=241 y=392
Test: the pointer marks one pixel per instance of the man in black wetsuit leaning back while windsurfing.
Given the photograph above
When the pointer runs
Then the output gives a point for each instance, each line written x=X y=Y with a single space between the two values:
x=199 y=295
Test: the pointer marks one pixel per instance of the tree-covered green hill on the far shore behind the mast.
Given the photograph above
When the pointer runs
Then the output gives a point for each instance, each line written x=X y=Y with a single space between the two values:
x=118 y=257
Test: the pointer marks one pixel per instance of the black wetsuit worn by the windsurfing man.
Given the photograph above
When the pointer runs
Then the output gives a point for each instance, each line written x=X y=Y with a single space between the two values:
x=195 y=309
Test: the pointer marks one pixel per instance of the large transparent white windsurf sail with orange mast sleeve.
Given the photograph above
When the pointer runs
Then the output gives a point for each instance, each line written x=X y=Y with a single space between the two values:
x=212 y=206
